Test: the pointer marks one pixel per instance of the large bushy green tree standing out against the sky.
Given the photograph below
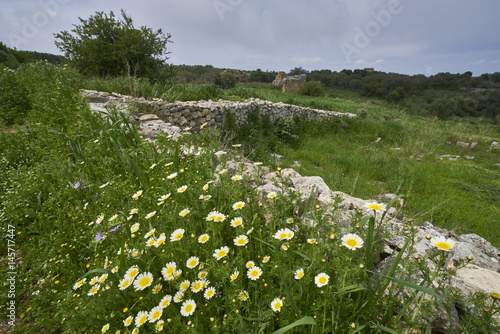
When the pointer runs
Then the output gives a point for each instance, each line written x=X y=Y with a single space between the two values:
x=104 y=45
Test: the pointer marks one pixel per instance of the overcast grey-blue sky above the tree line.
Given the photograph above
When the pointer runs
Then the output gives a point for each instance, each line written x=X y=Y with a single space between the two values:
x=403 y=36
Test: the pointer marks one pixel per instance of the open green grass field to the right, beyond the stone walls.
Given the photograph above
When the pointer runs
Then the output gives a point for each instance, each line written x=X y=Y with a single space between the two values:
x=462 y=195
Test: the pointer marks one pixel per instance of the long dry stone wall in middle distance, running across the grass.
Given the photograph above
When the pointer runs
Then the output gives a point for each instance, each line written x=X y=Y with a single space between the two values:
x=193 y=114
